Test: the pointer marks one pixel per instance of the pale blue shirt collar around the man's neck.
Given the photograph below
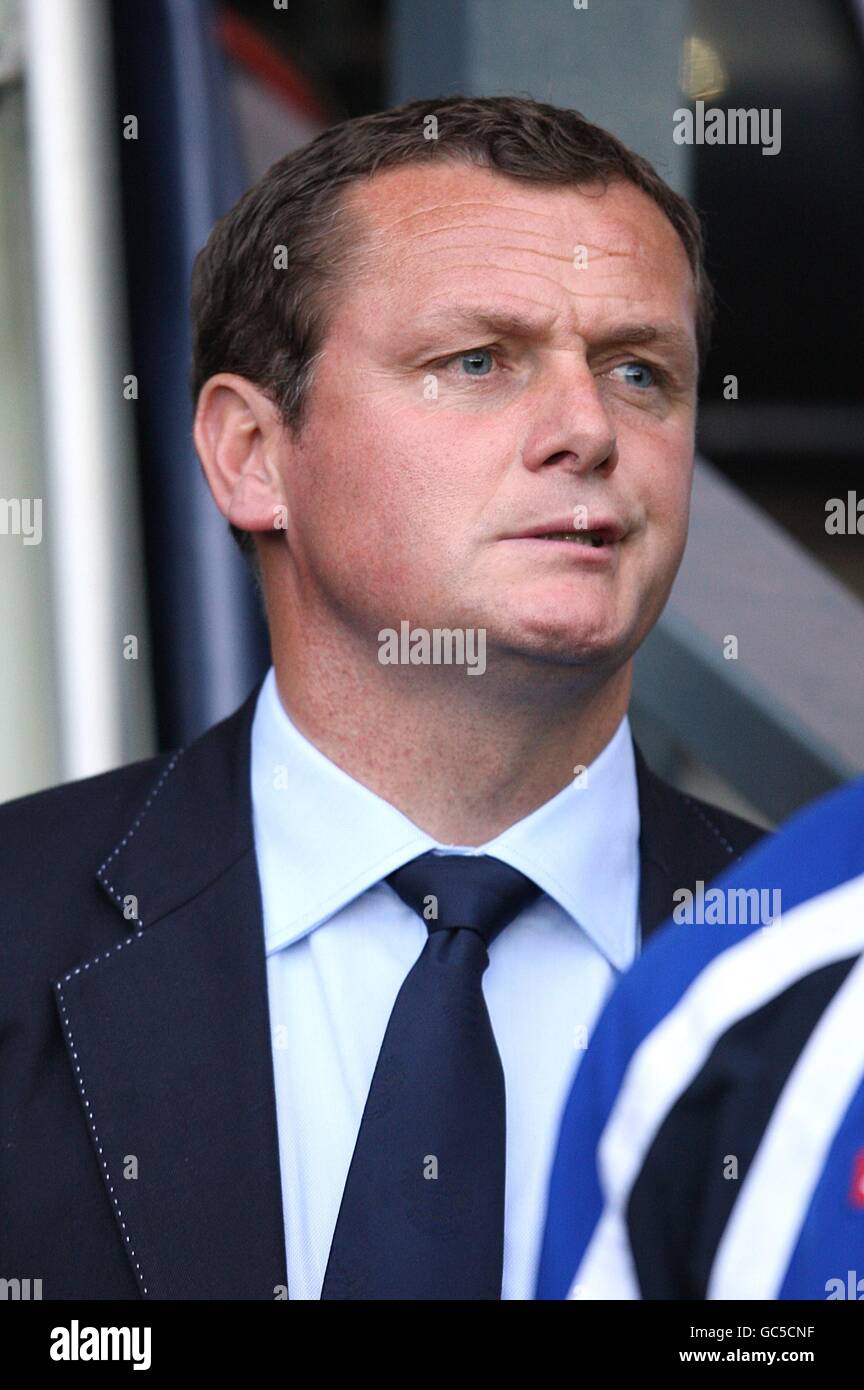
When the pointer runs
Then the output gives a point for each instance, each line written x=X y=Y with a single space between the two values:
x=323 y=839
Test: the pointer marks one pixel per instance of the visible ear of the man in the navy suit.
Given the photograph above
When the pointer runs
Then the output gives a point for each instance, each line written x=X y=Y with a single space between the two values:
x=238 y=434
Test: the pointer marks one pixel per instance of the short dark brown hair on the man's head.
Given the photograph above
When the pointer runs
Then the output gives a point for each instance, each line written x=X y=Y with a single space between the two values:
x=272 y=329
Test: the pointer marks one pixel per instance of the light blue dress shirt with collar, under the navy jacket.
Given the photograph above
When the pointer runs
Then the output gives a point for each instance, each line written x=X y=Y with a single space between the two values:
x=340 y=945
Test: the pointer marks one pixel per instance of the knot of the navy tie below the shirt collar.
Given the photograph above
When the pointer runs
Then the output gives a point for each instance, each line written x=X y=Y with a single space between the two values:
x=473 y=892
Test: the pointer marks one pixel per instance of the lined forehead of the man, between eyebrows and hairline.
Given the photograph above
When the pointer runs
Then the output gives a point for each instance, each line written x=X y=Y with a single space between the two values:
x=433 y=231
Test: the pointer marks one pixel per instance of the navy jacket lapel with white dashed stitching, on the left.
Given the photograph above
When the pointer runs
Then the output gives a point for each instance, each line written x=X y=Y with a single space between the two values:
x=169 y=1033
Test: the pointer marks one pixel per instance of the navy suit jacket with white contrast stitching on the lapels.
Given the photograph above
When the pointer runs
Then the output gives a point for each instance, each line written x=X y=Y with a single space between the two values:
x=138 y=1124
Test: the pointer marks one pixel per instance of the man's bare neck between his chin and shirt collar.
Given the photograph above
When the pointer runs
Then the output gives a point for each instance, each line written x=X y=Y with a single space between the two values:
x=462 y=757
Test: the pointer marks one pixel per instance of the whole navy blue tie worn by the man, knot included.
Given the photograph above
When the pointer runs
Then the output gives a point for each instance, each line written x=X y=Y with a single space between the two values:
x=423 y=1210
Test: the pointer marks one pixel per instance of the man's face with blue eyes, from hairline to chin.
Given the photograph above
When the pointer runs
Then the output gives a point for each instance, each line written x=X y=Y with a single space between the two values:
x=512 y=362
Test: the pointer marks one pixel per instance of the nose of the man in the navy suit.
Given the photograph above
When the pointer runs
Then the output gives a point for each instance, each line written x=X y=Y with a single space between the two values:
x=572 y=427
